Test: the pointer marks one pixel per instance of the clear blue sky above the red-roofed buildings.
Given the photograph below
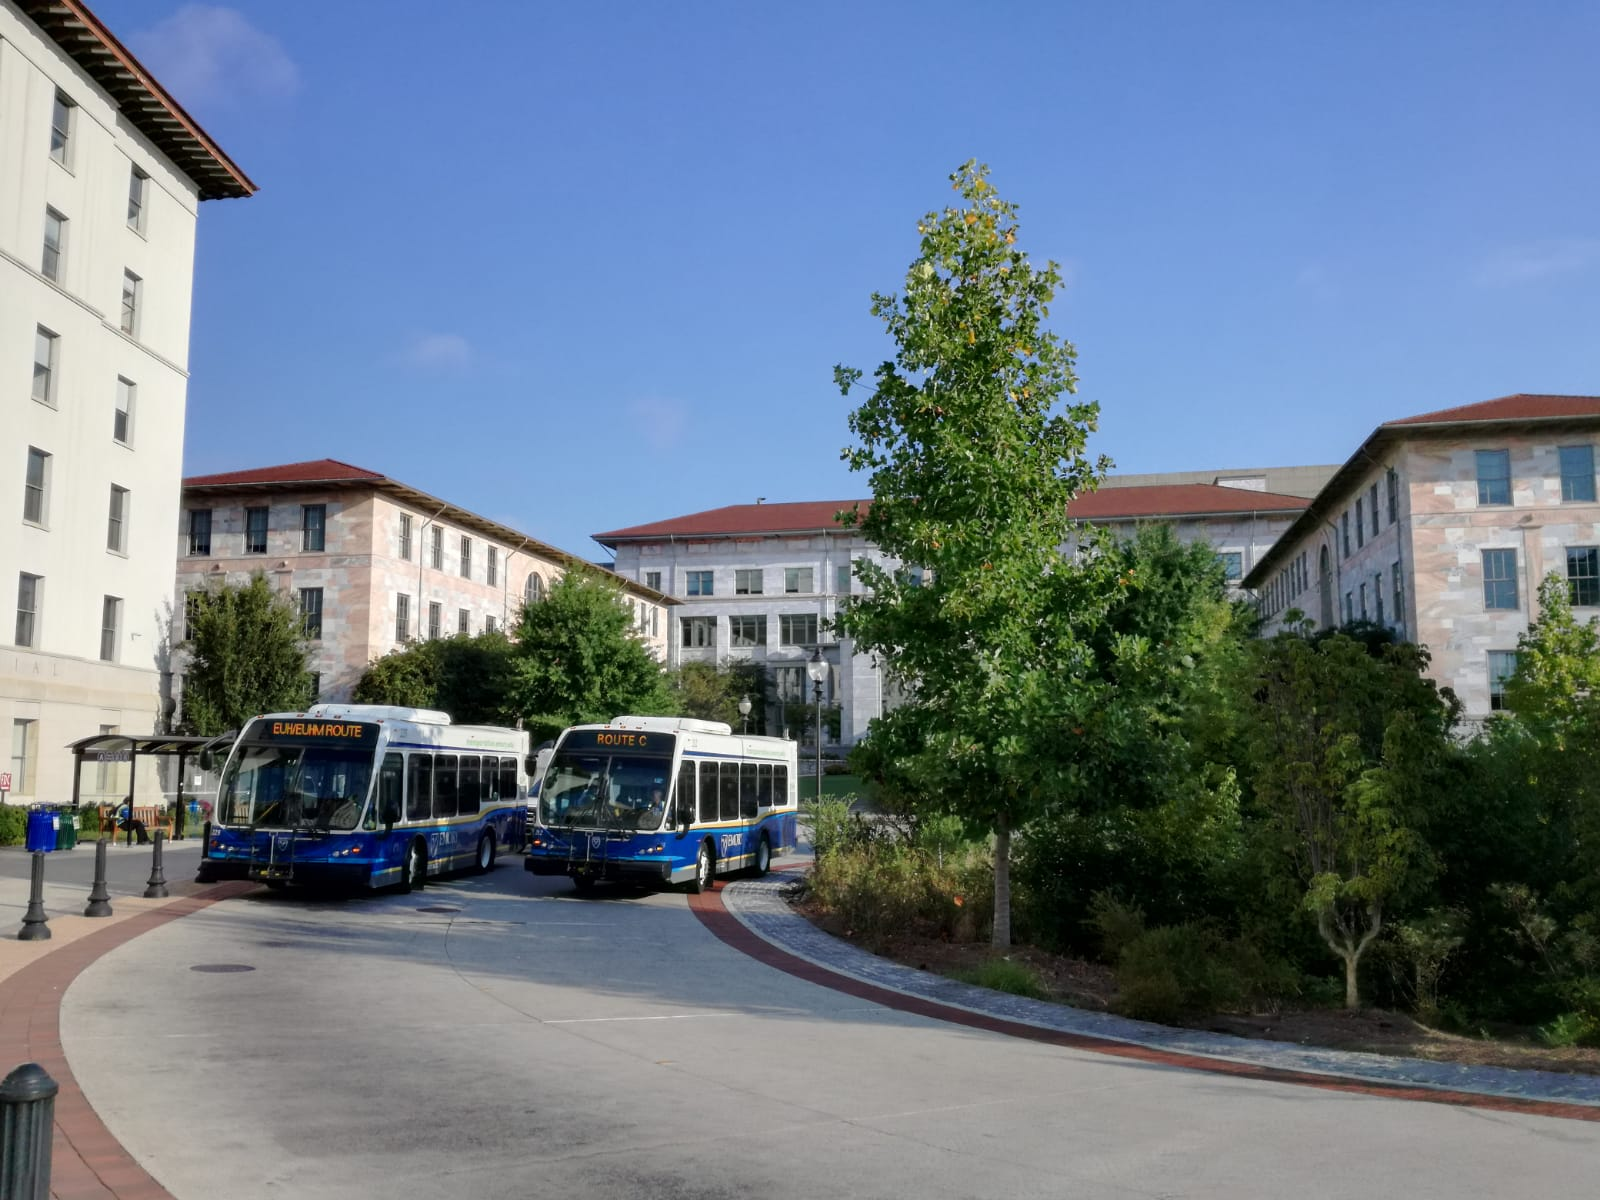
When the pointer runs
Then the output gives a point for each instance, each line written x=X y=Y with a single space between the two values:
x=585 y=266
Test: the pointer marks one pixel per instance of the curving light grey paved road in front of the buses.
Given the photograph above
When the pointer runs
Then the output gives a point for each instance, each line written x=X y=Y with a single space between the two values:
x=535 y=1044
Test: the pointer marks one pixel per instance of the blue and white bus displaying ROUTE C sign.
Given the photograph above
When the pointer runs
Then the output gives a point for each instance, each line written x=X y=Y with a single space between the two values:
x=663 y=801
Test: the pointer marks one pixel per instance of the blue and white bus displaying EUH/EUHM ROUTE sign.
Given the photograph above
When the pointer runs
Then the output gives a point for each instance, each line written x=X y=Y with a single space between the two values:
x=367 y=794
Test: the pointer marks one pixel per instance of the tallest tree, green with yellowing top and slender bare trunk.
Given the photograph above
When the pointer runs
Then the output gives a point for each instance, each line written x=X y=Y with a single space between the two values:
x=974 y=457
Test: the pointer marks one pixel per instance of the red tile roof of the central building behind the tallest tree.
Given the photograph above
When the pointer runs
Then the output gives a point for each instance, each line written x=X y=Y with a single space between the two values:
x=1166 y=500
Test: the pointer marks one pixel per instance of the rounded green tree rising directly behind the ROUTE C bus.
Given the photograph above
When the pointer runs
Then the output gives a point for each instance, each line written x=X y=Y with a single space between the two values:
x=578 y=660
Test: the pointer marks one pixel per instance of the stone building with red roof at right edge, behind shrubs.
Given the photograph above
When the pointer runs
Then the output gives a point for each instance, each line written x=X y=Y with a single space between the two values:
x=1442 y=527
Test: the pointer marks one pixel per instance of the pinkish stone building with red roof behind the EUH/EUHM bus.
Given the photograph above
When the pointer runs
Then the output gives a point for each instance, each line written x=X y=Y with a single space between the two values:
x=372 y=562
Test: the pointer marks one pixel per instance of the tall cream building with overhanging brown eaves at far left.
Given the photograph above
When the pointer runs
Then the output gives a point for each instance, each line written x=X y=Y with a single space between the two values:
x=102 y=178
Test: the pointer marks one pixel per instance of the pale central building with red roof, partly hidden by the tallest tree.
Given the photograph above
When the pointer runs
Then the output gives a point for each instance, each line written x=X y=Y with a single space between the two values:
x=762 y=583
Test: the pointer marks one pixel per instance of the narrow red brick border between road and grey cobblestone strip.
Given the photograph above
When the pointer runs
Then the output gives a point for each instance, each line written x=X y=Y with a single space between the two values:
x=716 y=918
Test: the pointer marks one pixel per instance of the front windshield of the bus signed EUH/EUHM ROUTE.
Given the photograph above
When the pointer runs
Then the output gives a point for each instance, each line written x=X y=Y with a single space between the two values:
x=295 y=788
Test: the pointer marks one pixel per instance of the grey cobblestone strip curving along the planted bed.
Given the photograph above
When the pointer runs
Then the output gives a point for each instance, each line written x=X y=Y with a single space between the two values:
x=761 y=908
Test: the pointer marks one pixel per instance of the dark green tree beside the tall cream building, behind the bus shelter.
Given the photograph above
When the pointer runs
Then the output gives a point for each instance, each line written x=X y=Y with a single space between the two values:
x=247 y=655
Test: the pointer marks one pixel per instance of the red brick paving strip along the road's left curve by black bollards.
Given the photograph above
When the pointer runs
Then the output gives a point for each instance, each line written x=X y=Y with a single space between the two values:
x=87 y=1162
